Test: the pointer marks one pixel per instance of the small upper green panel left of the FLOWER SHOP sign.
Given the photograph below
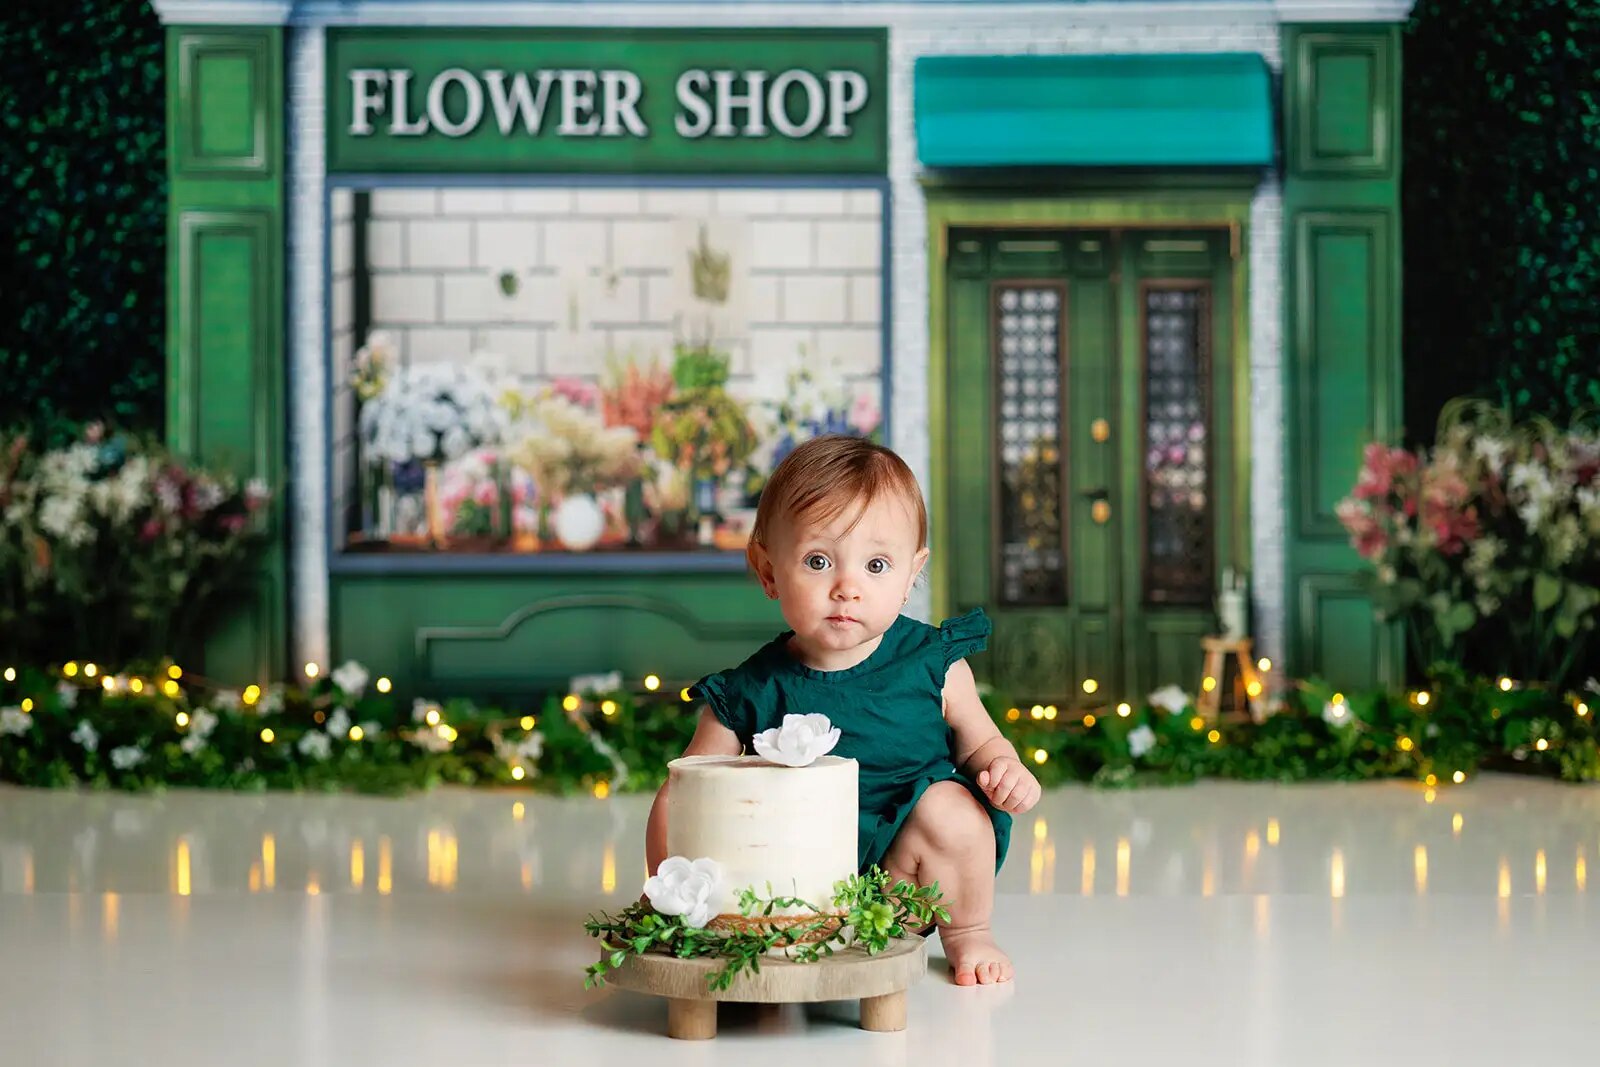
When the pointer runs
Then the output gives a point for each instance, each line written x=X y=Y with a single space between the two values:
x=225 y=103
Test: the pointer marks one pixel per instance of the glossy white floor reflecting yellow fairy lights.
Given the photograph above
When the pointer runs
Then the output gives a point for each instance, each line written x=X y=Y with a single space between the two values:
x=1204 y=925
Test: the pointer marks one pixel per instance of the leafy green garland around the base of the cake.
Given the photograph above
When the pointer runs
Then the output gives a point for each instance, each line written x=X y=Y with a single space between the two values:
x=870 y=913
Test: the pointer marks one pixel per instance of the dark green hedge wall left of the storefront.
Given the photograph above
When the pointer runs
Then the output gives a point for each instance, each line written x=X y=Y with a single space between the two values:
x=84 y=198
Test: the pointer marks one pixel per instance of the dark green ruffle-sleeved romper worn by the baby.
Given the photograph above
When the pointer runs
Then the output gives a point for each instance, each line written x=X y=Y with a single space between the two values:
x=889 y=711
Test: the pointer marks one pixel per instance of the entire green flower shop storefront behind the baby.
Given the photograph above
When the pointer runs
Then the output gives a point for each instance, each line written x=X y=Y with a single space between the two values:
x=522 y=310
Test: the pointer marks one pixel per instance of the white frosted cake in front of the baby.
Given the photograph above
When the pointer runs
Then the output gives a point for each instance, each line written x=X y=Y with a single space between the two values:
x=764 y=823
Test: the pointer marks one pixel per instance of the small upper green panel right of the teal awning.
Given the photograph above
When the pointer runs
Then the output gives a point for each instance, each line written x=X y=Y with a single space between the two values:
x=1342 y=102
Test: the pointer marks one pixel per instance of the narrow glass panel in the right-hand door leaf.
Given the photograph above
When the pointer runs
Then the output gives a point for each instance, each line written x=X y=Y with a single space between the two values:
x=1178 y=543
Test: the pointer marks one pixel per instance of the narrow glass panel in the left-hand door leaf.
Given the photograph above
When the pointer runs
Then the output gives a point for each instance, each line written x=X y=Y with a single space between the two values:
x=1028 y=322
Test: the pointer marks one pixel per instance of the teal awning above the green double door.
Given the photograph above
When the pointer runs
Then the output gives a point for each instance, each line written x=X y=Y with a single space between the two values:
x=1095 y=111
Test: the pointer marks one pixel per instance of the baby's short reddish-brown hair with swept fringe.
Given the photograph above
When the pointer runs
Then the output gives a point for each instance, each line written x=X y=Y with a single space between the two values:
x=826 y=476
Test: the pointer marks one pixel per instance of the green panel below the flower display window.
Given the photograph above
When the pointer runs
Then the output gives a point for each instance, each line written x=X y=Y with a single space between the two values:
x=522 y=634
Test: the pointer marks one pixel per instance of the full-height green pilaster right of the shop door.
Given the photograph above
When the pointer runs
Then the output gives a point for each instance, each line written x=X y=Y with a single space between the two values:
x=1343 y=332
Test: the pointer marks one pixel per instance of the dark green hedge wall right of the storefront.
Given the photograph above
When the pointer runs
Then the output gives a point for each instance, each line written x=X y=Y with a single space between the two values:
x=1502 y=198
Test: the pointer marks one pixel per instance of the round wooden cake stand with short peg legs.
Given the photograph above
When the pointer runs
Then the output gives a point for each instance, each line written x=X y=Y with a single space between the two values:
x=879 y=983
